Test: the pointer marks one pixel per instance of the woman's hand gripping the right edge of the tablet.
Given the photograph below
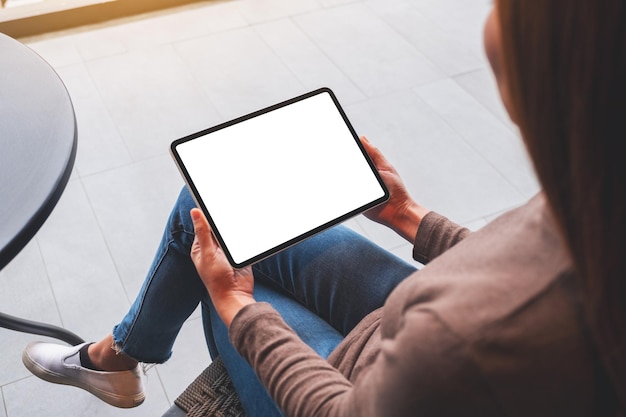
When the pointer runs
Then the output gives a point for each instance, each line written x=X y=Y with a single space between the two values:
x=400 y=213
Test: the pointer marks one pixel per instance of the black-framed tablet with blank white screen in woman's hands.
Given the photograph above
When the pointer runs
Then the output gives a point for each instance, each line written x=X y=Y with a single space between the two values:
x=275 y=177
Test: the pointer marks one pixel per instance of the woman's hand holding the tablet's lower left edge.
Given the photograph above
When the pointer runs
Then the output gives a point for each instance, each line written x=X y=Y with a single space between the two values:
x=230 y=289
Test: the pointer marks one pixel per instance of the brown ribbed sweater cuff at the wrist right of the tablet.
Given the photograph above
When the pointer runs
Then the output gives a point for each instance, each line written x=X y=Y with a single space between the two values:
x=436 y=235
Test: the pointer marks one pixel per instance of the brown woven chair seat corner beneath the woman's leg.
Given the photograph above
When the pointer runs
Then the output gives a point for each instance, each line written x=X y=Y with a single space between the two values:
x=211 y=394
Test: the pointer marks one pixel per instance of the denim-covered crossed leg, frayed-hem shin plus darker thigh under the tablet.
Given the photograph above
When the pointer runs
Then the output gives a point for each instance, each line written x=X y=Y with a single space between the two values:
x=338 y=275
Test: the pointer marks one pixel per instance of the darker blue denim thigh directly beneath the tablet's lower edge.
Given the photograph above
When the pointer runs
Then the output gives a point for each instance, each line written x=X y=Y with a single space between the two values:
x=339 y=275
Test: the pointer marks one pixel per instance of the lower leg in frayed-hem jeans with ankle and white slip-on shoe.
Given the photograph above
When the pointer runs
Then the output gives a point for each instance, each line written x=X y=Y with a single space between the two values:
x=169 y=295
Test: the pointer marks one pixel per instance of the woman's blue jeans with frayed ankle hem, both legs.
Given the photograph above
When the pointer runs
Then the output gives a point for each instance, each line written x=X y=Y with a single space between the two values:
x=322 y=287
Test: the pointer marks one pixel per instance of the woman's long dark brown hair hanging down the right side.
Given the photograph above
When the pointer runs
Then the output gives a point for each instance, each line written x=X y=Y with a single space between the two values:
x=566 y=66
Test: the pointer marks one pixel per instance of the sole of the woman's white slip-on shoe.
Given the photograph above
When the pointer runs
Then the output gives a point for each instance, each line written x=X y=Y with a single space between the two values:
x=110 y=398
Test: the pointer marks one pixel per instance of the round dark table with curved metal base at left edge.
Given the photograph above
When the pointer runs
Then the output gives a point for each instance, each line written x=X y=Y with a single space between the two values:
x=37 y=151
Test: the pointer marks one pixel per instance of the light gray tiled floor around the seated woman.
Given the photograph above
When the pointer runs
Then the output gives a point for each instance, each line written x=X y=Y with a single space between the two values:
x=411 y=75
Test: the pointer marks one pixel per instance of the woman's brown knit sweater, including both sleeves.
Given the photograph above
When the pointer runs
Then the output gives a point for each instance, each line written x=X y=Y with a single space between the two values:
x=491 y=326
